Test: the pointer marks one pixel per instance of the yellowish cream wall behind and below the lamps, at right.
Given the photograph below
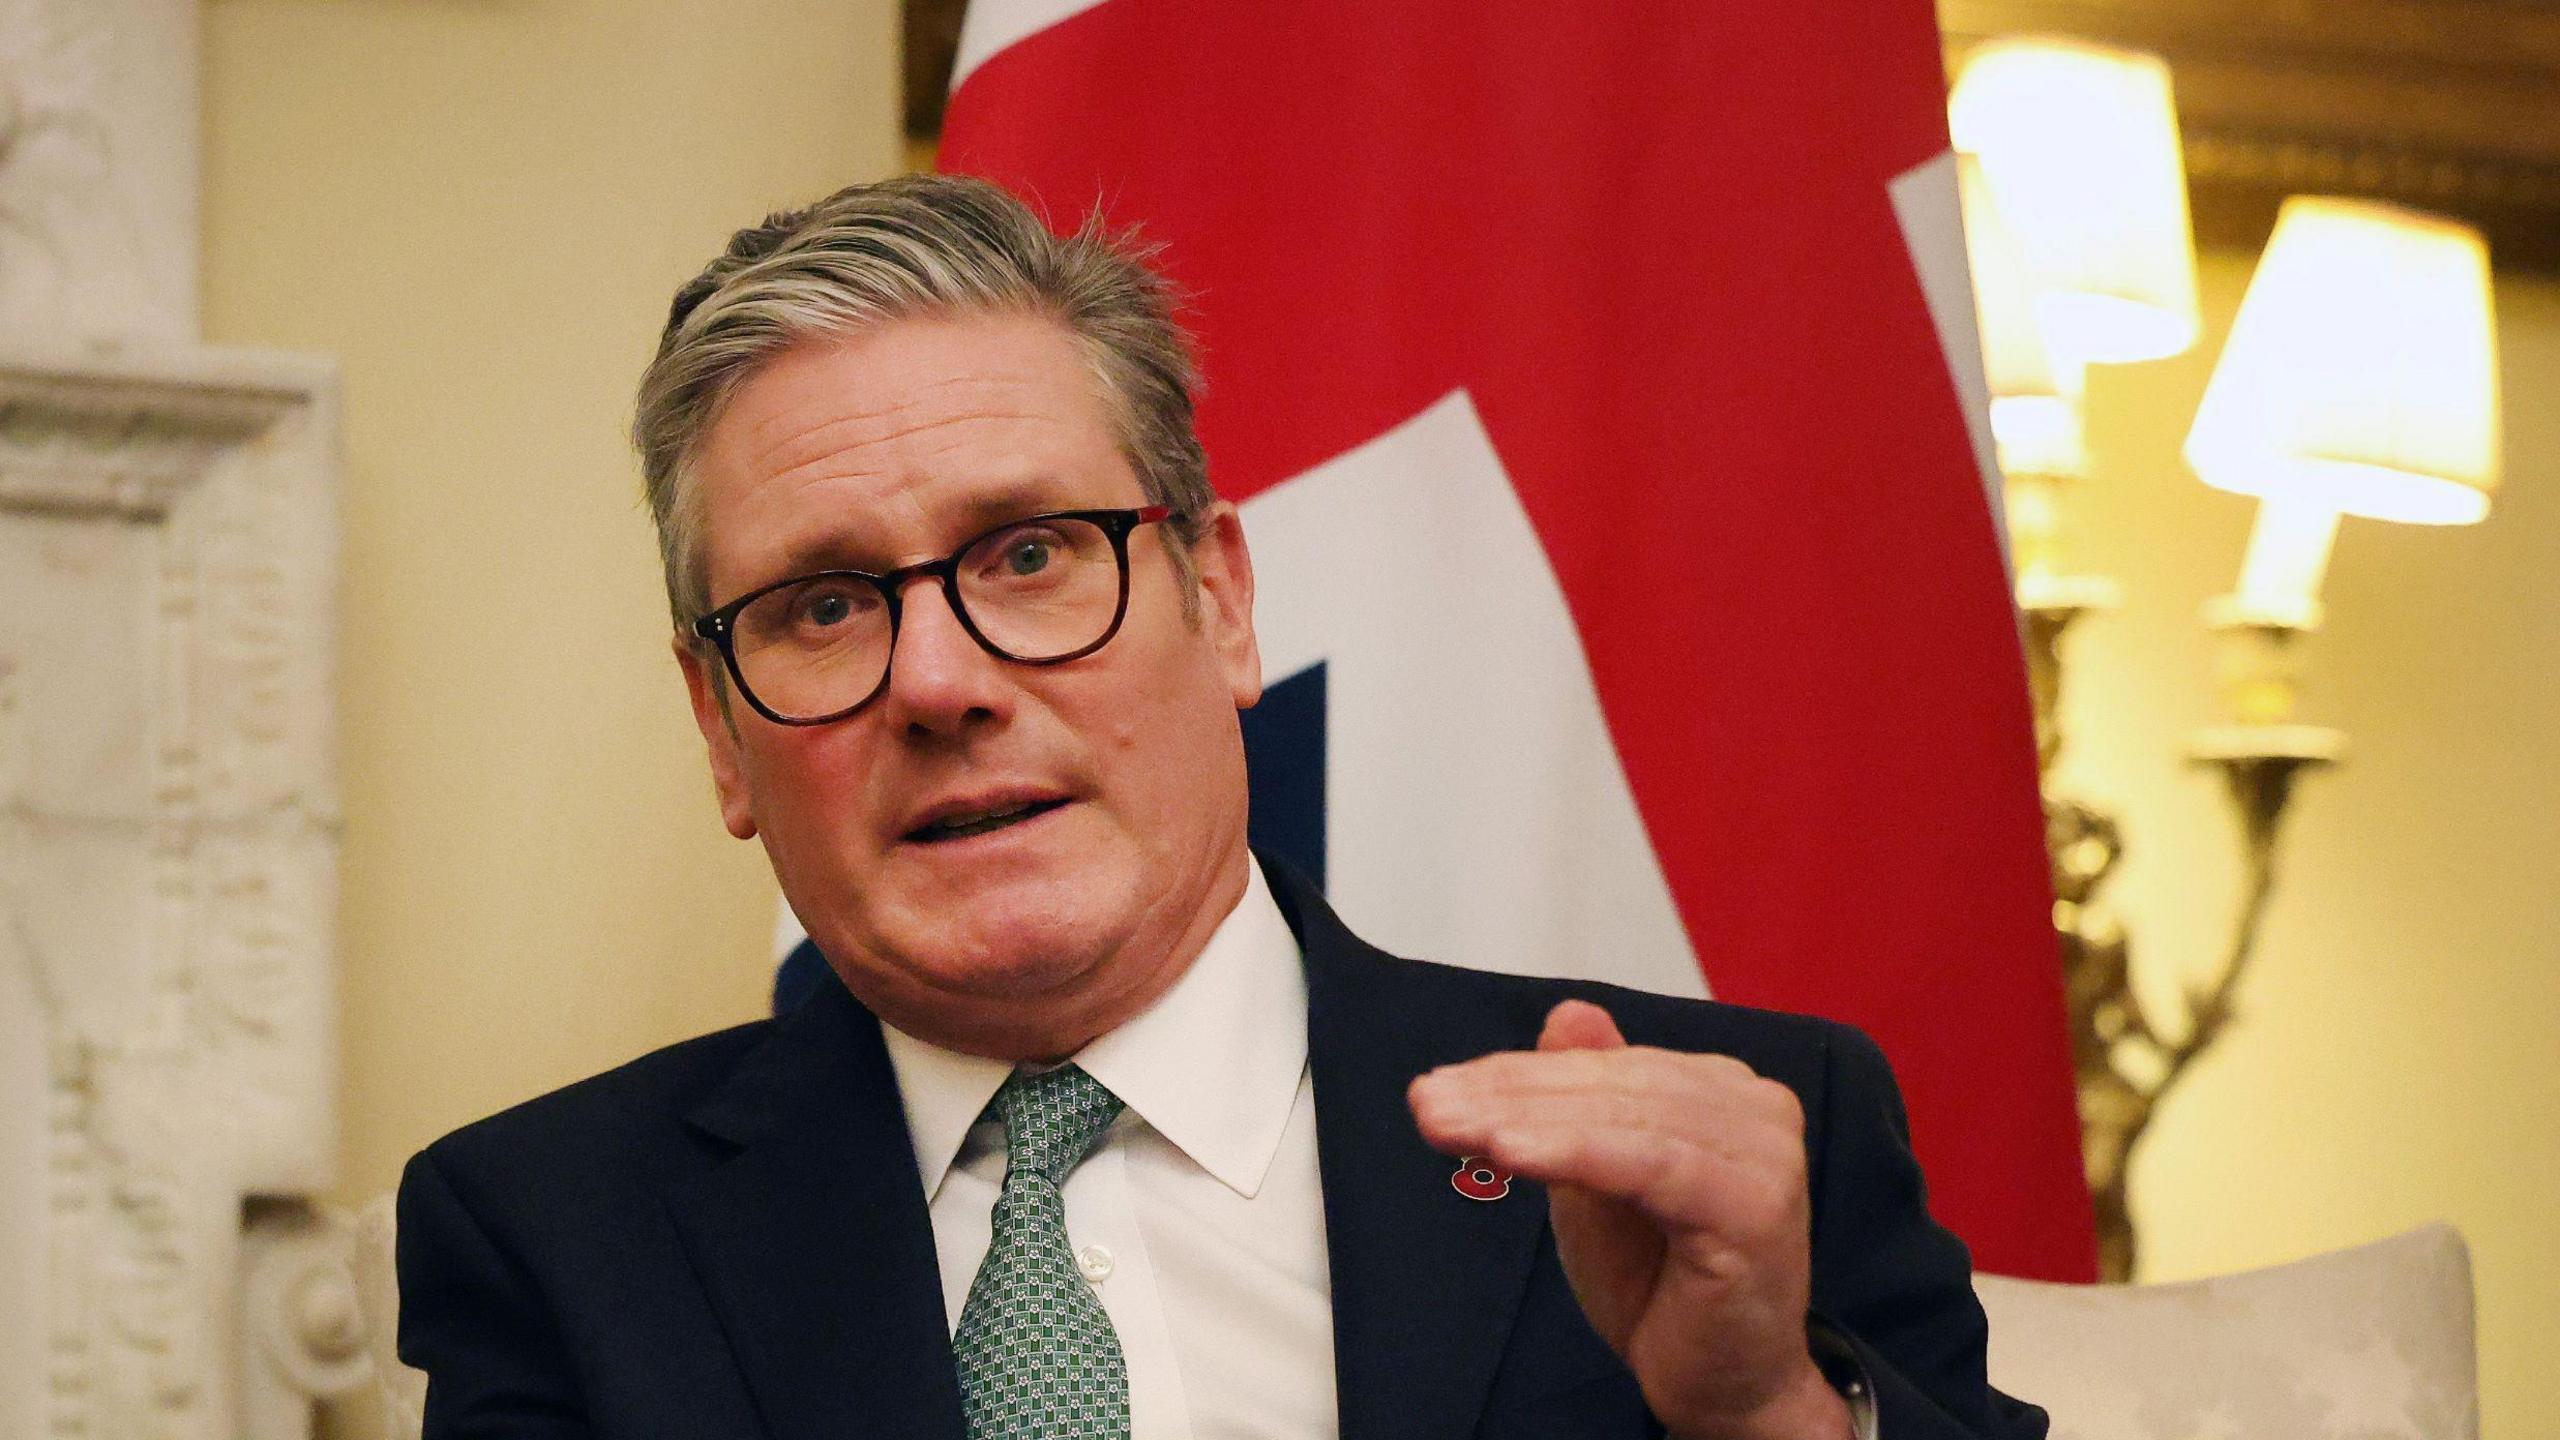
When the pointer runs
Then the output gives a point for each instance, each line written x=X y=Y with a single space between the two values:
x=2392 y=1057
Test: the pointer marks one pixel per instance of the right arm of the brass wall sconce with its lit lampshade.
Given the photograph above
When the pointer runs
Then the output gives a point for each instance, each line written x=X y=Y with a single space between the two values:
x=2359 y=378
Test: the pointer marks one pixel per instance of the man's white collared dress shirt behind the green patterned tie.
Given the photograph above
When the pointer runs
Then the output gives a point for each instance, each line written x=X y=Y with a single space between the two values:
x=1199 y=1218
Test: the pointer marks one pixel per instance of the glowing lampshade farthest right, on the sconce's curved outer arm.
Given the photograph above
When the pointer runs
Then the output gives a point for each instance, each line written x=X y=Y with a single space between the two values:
x=2362 y=370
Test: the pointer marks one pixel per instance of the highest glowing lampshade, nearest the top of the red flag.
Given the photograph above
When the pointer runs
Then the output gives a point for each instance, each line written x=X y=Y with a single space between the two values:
x=2080 y=147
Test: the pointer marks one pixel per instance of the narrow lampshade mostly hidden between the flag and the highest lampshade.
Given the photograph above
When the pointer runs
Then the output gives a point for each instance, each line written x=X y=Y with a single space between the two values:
x=2036 y=421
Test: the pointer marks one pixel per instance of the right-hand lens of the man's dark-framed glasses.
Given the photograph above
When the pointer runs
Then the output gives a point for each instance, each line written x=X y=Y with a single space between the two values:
x=1043 y=588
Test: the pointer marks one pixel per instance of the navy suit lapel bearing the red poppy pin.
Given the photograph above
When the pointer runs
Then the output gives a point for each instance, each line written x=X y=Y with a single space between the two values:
x=1427 y=1282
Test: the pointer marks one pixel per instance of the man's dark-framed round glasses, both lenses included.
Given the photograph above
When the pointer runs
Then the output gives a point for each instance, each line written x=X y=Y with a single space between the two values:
x=1041 y=591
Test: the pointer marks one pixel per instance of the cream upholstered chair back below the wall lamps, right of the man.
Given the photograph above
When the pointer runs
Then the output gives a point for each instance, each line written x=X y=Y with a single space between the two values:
x=2369 y=1344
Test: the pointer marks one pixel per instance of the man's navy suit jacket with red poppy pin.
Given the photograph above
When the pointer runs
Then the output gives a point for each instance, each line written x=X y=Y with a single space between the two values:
x=728 y=1239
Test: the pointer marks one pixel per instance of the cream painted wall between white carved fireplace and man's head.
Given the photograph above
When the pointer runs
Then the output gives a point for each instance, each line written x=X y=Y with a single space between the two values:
x=483 y=209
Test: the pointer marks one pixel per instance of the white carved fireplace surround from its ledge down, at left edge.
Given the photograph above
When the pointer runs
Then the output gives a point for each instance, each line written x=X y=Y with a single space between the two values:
x=168 y=888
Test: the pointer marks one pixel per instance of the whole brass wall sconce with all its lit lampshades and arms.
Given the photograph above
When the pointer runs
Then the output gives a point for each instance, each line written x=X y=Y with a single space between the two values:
x=2359 y=380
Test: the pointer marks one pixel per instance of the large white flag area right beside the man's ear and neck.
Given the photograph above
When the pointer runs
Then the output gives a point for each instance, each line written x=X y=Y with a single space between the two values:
x=1476 y=808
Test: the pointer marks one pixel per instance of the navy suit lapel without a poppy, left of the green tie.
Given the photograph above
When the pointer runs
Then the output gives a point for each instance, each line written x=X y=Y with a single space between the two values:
x=813 y=1239
